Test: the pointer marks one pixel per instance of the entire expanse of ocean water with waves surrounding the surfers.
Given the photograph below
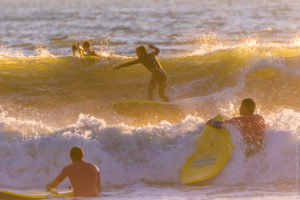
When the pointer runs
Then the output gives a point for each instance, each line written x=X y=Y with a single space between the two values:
x=215 y=54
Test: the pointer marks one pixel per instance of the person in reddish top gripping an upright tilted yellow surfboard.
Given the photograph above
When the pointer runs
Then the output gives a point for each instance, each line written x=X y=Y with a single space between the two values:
x=252 y=126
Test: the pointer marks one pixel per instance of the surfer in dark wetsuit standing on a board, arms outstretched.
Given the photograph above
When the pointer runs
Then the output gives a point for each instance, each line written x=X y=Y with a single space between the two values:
x=149 y=60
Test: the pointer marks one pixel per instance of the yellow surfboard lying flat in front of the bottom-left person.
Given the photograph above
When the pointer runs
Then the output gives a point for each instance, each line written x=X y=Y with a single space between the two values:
x=7 y=195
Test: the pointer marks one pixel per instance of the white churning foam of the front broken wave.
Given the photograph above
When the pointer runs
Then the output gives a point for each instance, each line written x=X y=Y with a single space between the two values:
x=153 y=153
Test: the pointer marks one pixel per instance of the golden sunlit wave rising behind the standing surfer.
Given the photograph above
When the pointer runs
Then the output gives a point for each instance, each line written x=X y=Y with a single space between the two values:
x=67 y=86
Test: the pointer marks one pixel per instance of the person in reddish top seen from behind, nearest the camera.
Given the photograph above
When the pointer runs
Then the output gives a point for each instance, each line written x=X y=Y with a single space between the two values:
x=84 y=176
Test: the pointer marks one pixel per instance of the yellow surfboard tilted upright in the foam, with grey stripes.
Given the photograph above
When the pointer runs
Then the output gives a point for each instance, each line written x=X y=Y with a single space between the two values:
x=213 y=150
